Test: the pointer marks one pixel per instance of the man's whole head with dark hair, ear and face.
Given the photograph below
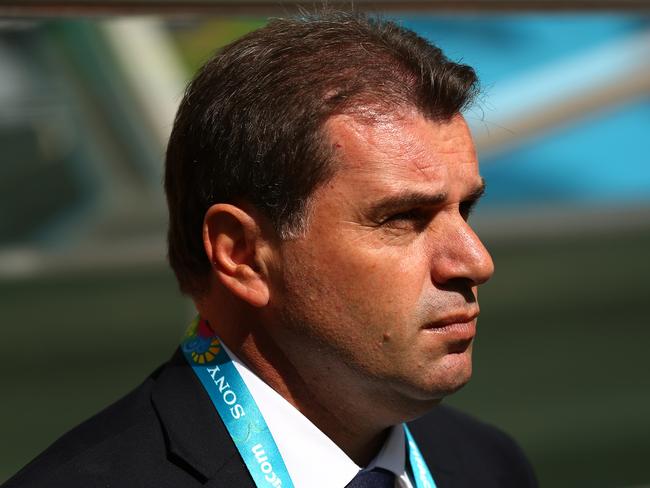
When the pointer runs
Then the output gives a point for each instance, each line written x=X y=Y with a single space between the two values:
x=320 y=173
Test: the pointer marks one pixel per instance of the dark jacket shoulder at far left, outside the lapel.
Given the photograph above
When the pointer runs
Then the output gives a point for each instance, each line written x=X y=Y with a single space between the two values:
x=124 y=441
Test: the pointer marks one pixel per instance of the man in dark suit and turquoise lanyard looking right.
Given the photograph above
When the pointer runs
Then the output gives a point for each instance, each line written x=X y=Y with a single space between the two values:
x=319 y=178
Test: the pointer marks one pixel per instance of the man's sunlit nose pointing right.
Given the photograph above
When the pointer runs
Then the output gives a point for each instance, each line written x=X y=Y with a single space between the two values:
x=462 y=255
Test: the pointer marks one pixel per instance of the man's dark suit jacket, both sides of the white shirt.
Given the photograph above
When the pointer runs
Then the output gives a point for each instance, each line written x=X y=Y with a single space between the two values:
x=166 y=433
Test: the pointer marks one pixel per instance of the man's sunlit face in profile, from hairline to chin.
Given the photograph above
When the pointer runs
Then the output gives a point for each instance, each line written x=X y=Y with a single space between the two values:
x=383 y=284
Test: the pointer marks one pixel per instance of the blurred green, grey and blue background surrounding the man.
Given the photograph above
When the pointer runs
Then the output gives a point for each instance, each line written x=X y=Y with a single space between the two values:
x=88 y=306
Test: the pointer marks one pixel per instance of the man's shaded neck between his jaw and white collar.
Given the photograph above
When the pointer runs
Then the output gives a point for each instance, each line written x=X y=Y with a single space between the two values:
x=336 y=401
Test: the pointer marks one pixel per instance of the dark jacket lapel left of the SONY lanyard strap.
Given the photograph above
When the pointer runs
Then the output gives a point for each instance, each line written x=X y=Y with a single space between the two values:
x=197 y=439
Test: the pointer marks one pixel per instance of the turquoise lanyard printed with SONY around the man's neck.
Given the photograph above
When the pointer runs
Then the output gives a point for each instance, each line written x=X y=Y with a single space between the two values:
x=243 y=419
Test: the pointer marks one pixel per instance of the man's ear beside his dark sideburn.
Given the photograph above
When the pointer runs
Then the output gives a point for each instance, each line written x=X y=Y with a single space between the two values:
x=235 y=246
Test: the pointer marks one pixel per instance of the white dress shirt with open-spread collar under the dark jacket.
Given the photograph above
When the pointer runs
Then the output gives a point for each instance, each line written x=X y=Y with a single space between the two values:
x=312 y=459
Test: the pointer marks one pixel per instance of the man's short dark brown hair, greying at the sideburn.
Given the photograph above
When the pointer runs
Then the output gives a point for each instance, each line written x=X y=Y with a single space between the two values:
x=250 y=124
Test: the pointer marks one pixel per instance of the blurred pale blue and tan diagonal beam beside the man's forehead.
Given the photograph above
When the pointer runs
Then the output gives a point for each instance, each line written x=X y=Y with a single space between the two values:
x=564 y=92
